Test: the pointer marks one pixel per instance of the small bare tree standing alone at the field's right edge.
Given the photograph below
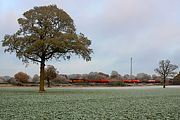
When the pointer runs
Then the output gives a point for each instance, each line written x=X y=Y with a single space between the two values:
x=165 y=70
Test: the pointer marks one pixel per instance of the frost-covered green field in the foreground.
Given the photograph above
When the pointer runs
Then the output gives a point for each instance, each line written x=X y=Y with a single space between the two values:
x=90 y=104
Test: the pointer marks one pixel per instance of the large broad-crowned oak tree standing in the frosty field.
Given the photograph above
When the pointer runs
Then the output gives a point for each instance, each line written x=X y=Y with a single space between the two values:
x=46 y=32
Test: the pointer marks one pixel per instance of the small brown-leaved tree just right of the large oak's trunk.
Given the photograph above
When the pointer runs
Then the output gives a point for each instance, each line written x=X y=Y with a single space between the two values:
x=50 y=73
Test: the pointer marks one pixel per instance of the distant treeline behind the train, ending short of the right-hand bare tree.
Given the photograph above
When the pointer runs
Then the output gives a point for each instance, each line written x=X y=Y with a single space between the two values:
x=53 y=75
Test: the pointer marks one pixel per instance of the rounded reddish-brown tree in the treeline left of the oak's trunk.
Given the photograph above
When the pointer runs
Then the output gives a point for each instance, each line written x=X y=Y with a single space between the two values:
x=21 y=77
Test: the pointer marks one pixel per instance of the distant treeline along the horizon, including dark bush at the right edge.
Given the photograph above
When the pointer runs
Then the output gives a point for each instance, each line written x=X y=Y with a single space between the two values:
x=53 y=77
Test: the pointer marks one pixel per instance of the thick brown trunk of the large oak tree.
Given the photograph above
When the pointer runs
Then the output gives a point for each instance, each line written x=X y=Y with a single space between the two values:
x=42 y=77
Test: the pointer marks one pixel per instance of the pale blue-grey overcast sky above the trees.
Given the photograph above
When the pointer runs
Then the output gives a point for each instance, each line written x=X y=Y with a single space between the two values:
x=146 y=30
